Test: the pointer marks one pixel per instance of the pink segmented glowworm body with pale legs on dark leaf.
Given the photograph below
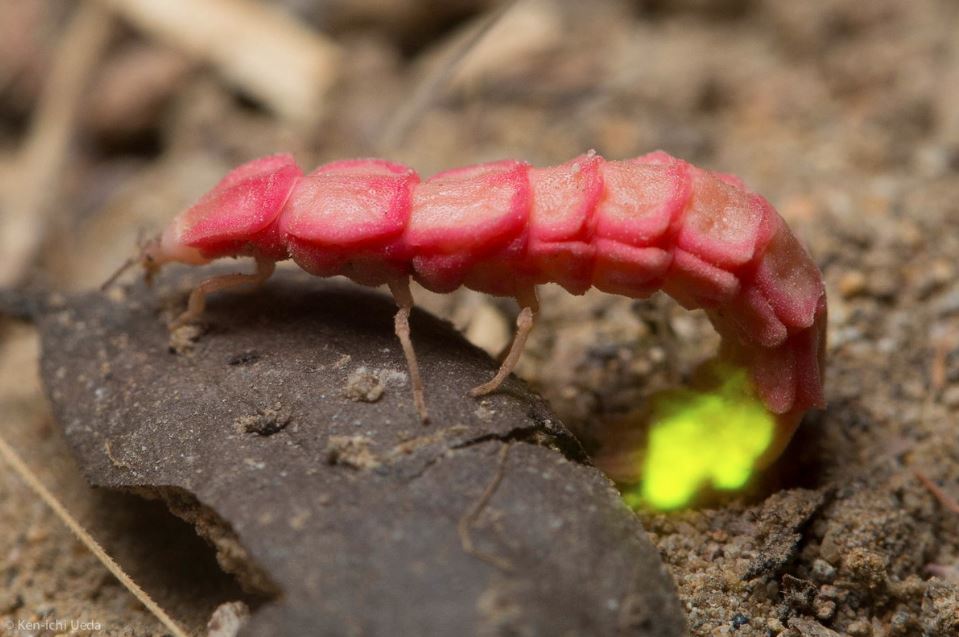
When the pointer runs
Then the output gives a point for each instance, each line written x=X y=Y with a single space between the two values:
x=626 y=227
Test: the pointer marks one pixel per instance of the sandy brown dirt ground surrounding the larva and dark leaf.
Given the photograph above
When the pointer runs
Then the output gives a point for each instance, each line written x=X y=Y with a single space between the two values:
x=843 y=113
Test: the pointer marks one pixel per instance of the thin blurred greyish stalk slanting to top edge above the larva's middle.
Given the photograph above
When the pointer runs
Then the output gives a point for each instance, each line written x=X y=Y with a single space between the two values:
x=429 y=87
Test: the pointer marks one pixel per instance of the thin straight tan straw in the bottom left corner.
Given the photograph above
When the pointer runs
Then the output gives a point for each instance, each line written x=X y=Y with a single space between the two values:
x=33 y=482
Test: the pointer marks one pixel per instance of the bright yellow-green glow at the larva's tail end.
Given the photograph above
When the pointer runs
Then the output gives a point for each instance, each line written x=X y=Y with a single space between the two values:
x=698 y=438
